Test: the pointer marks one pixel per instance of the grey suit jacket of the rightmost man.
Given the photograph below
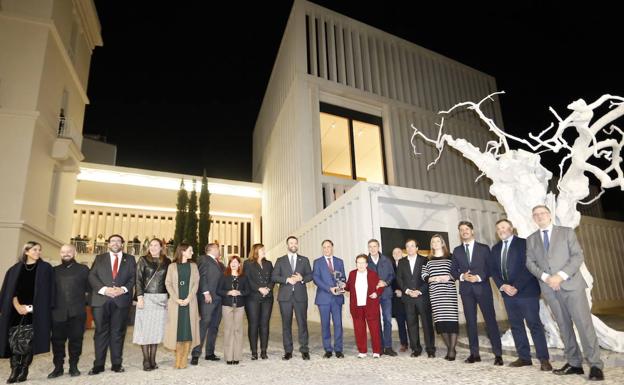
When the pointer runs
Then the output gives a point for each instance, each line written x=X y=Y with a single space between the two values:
x=564 y=254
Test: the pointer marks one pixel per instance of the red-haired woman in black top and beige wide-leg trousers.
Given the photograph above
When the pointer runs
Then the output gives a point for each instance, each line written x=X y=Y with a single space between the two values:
x=233 y=289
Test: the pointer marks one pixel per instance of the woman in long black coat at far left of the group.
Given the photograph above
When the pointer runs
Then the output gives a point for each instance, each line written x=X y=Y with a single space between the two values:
x=26 y=299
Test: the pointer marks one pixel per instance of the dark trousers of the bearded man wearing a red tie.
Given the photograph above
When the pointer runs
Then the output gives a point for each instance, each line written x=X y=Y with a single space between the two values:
x=110 y=331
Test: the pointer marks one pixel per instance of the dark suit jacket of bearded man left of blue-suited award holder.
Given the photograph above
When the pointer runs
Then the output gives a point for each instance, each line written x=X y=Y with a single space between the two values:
x=283 y=271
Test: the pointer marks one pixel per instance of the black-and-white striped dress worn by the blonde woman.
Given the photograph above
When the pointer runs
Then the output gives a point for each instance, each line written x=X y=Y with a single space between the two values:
x=443 y=295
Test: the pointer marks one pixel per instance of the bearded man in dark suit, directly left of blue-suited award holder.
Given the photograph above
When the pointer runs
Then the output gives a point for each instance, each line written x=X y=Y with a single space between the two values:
x=292 y=272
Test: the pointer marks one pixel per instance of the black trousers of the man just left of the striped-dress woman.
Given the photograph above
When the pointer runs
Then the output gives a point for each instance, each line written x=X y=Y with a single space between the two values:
x=420 y=307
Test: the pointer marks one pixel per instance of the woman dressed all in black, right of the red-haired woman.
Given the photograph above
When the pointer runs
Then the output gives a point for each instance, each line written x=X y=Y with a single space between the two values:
x=259 y=304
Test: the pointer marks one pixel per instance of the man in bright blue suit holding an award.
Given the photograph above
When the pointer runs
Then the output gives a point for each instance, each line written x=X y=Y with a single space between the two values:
x=329 y=297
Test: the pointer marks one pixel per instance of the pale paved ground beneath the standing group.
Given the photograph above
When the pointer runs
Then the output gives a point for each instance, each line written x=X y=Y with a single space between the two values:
x=350 y=370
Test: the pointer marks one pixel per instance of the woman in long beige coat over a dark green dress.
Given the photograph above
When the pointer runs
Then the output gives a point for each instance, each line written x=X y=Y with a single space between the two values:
x=182 y=330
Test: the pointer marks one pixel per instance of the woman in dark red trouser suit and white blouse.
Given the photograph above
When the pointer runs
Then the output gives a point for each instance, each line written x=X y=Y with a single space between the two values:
x=363 y=285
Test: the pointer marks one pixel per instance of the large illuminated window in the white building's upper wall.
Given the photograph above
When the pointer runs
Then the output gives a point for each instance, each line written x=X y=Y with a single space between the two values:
x=351 y=145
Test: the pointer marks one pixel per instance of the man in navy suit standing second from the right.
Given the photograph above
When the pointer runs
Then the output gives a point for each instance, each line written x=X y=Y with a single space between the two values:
x=520 y=292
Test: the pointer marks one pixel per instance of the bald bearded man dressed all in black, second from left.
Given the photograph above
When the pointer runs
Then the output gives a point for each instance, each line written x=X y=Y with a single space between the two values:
x=69 y=315
